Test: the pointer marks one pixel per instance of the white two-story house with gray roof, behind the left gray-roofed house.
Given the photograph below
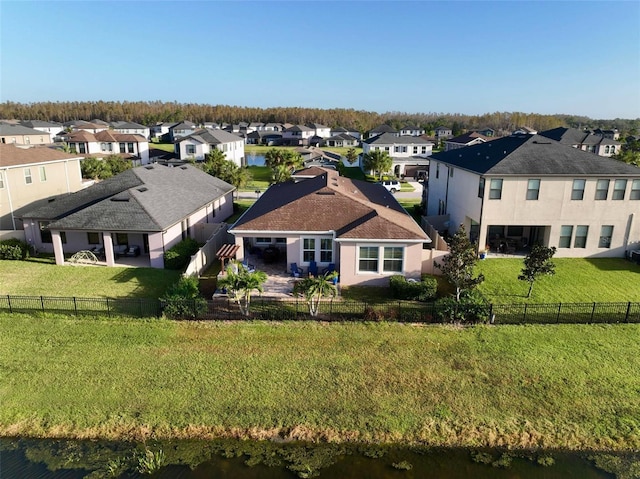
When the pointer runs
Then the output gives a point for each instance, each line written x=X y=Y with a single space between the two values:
x=197 y=145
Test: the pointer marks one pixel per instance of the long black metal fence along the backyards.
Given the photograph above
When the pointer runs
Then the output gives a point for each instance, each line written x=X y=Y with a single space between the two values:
x=288 y=309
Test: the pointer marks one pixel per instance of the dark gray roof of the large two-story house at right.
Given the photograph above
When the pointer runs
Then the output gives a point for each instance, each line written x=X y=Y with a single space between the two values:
x=519 y=155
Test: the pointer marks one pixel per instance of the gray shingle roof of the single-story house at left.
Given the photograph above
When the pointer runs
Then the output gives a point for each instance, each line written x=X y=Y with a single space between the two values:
x=147 y=198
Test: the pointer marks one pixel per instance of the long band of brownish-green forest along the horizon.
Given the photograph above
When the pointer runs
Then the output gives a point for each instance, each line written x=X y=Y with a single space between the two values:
x=151 y=112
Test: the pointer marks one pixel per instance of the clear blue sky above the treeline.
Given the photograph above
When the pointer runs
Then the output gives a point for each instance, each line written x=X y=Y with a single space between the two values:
x=580 y=57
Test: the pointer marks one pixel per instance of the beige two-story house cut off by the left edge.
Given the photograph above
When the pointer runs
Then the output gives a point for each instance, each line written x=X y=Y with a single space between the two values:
x=31 y=176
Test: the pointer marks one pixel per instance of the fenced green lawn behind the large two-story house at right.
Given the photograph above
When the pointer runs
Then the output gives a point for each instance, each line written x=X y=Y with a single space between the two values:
x=577 y=280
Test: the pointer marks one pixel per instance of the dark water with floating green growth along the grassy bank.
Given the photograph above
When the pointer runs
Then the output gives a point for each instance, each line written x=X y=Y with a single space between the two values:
x=49 y=459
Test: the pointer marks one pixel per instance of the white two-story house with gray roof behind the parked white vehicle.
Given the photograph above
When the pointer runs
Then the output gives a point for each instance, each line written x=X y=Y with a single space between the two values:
x=403 y=150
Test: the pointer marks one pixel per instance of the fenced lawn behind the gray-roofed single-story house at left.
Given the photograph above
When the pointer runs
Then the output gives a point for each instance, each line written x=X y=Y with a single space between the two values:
x=41 y=277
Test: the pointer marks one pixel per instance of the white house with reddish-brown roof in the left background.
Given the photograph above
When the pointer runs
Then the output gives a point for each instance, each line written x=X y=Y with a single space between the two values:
x=106 y=142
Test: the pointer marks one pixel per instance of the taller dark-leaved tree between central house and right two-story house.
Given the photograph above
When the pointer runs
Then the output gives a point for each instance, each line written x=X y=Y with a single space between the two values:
x=458 y=265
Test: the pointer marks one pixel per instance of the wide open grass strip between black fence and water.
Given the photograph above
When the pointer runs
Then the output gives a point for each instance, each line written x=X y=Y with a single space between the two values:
x=565 y=386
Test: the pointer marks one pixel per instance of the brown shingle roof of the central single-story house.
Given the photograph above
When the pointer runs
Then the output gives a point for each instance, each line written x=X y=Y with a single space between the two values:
x=328 y=202
